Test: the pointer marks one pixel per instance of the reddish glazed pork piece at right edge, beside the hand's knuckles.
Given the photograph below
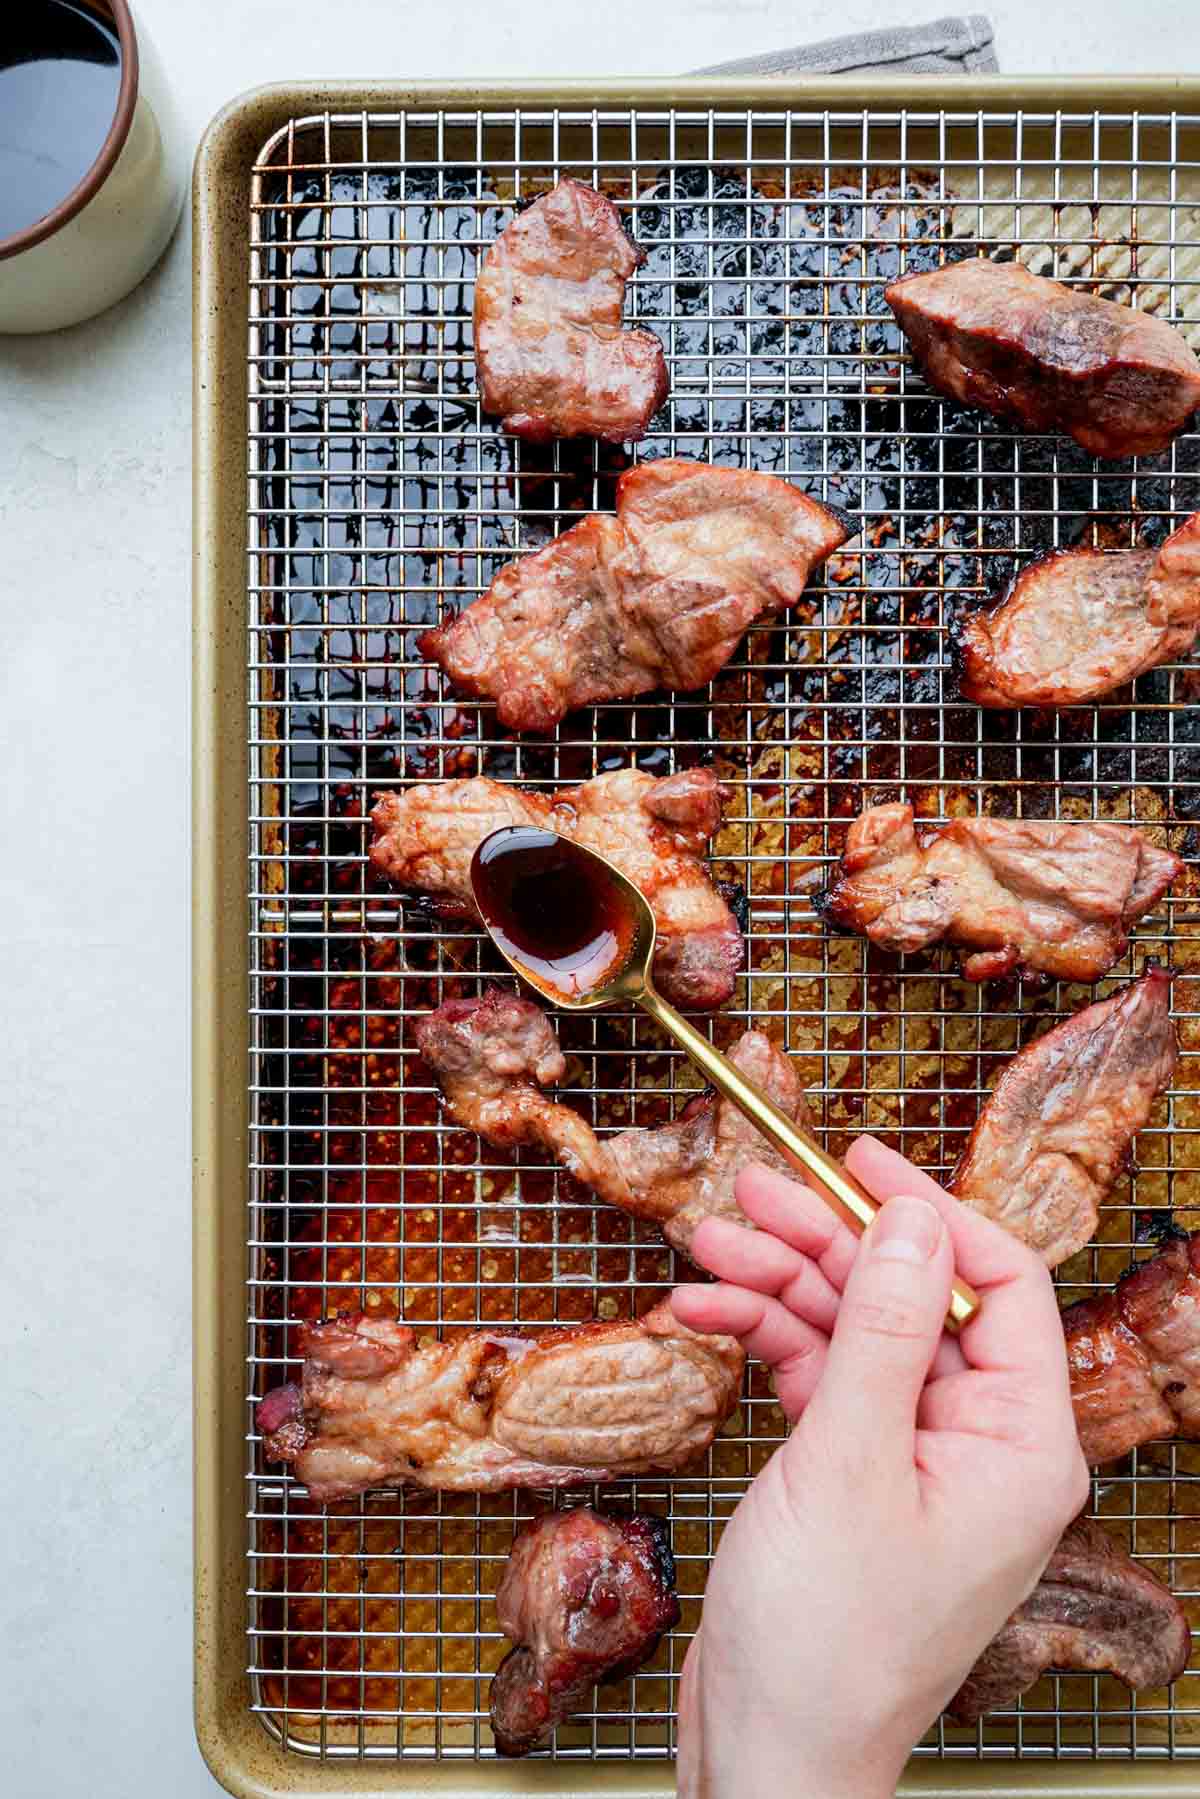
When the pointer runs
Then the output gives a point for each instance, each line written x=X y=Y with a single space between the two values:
x=1134 y=1356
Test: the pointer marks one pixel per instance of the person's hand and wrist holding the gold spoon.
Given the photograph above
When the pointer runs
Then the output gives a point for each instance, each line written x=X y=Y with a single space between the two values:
x=915 y=1505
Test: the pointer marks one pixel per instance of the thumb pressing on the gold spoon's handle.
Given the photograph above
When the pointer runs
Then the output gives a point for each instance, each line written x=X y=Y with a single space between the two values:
x=888 y=1329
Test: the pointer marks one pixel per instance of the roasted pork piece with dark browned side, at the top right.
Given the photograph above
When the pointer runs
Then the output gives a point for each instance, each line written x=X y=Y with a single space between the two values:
x=1050 y=357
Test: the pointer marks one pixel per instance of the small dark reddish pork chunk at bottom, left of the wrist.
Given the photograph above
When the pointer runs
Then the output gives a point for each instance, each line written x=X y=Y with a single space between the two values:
x=586 y=1598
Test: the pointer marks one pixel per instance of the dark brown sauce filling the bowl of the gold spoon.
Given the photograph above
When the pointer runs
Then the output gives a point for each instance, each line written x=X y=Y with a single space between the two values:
x=551 y=909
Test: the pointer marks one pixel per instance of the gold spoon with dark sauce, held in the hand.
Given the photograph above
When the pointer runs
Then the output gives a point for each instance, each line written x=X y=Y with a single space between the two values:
x=580 y=933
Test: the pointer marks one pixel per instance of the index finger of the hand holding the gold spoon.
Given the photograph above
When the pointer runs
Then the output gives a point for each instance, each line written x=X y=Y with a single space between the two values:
x=1017 y=1327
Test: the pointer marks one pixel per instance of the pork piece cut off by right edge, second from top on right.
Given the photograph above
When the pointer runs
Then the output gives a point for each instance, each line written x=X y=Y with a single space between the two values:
x=1080 y=623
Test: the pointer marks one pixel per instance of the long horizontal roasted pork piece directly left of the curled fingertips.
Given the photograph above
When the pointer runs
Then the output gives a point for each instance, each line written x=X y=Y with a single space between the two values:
x=497 y=1410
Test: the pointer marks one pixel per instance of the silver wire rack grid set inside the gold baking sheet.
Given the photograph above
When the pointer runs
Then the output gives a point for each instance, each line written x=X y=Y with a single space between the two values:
x=379 y=499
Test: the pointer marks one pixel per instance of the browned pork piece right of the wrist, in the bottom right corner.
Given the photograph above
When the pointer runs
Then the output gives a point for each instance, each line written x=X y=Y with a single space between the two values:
x=1095 y=1611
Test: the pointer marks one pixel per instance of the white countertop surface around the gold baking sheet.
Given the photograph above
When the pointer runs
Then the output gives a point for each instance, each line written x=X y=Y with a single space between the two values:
x=94 y=524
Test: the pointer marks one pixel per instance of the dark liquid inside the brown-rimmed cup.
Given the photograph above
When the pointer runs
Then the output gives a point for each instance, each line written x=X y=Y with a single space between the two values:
x=60 y=80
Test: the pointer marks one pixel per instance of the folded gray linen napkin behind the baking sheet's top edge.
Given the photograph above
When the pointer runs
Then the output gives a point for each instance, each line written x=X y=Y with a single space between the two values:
x=945 y=46
